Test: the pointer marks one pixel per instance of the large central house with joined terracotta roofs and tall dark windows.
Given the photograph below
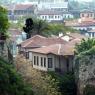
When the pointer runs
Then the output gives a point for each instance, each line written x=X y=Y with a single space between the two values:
x=51 y=54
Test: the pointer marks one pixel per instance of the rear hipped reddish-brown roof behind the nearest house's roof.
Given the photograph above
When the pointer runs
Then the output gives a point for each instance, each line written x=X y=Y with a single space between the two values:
x=40 y=41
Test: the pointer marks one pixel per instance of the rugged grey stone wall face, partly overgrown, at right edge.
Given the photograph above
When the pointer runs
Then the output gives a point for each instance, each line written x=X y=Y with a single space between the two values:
x=85 y=69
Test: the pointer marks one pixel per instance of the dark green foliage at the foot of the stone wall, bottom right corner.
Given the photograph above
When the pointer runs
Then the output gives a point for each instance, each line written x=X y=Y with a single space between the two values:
x=89 y=90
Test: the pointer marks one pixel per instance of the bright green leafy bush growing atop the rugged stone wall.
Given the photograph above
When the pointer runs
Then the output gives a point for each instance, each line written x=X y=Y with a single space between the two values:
x=85 y=45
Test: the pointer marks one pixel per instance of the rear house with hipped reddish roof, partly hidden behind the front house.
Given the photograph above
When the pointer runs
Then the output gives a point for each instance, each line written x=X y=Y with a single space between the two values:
x=37 y=41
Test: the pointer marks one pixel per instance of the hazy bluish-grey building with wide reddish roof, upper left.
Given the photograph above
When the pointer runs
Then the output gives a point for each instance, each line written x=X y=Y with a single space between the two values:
x=18 y=10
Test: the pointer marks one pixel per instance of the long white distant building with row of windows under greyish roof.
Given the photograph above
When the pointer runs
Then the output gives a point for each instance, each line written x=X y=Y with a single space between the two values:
x=54 y=16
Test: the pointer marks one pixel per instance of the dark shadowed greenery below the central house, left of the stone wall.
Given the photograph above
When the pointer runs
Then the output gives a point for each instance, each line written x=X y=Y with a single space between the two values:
x=66 y=83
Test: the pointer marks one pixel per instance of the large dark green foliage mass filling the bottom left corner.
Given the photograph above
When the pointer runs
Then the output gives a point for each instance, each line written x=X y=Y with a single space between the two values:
x=10 y=81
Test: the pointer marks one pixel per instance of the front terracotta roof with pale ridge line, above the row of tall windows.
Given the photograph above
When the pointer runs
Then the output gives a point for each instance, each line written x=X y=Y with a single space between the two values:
x=57 y=49
